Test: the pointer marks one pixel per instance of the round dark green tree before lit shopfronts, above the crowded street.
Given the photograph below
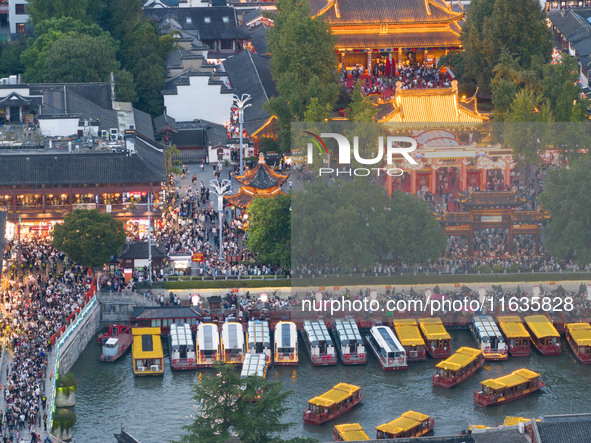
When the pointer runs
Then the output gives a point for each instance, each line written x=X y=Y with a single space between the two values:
x=89 y=237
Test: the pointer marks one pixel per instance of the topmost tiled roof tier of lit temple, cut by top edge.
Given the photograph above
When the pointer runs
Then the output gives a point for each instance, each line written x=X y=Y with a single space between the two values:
x=356 y=12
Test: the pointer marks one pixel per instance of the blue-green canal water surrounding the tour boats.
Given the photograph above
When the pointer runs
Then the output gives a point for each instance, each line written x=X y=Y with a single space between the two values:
x=155 y=409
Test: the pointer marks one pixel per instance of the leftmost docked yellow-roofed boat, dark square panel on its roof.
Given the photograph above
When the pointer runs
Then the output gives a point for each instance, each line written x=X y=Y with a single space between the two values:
x=147 y=353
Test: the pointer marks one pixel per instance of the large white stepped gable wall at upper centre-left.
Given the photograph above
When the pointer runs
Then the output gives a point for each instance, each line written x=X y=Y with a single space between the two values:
x=199 y=100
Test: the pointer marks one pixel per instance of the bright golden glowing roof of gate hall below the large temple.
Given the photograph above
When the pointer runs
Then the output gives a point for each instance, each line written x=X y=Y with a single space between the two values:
x=432 y=107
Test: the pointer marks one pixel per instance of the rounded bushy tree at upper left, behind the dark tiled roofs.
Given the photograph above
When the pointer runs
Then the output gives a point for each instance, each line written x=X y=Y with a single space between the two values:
x=80 y=58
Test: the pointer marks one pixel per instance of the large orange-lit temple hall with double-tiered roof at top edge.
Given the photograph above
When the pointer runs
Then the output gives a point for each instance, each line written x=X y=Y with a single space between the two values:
x=398 y=30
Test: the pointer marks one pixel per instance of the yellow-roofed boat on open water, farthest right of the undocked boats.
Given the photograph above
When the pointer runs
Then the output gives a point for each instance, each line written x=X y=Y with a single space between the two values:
x=518 y=384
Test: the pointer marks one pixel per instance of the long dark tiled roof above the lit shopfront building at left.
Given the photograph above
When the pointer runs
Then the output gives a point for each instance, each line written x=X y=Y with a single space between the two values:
x=53 y=169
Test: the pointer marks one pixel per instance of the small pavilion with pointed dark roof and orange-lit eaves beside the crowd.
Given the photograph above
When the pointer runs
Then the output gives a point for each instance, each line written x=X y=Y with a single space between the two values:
x=261 y=181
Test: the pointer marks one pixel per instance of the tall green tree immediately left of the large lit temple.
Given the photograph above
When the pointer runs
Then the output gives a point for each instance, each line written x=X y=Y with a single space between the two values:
x=302 y=65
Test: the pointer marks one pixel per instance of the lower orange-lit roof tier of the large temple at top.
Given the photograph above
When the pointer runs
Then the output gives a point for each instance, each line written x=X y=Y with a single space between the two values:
x=438 y=37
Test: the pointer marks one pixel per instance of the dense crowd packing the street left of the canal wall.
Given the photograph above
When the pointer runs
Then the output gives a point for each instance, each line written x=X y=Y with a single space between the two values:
x=38 y=298
